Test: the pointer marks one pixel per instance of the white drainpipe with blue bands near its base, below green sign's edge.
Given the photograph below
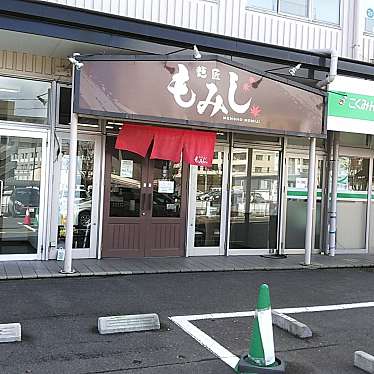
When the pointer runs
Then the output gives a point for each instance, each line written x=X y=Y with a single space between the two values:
x=334 y=189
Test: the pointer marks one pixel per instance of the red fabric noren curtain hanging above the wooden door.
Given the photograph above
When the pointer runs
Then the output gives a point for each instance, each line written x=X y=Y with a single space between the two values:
x=197 y=147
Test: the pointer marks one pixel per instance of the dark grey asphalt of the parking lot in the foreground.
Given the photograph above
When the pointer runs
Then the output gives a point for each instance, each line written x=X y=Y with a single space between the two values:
x=59 y=319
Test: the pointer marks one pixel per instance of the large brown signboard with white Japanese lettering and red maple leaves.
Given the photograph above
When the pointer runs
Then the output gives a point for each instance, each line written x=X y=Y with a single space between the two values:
x=202 y=92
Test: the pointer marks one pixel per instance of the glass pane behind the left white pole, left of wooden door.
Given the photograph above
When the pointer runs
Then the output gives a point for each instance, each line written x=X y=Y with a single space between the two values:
x=83 y=194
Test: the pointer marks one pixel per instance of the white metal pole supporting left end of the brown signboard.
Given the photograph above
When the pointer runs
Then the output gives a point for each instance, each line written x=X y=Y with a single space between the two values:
x=71 y=184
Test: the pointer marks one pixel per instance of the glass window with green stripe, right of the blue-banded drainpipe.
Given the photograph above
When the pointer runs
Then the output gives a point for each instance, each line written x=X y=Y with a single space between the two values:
x=353 y=179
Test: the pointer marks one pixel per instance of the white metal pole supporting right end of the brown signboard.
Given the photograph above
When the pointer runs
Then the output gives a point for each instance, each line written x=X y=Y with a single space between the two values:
x=310 y=209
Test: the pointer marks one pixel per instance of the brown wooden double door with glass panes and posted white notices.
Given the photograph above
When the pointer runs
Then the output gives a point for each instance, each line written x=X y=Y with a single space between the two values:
x=144 y=205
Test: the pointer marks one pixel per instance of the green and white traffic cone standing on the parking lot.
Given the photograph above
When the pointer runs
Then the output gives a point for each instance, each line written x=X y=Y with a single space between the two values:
x=261 y=354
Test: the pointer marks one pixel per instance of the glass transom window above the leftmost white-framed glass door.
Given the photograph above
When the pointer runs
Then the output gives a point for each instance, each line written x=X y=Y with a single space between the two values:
x=24 y=100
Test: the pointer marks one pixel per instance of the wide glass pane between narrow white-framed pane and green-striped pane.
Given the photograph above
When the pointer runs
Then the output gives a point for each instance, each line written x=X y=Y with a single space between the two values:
x=254 y=200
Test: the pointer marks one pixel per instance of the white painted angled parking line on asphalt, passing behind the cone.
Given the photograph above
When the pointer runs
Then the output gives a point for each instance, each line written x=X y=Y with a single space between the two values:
x=225 y=355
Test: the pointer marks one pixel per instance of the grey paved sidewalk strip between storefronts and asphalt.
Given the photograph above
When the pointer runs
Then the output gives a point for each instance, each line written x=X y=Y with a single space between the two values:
x=114 y=266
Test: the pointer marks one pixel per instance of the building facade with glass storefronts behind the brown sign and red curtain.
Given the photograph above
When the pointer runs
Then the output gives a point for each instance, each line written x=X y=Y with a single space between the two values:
x=254 y=198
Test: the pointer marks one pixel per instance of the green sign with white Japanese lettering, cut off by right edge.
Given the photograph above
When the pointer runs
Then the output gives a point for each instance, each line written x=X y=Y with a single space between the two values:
x=350 y=105
